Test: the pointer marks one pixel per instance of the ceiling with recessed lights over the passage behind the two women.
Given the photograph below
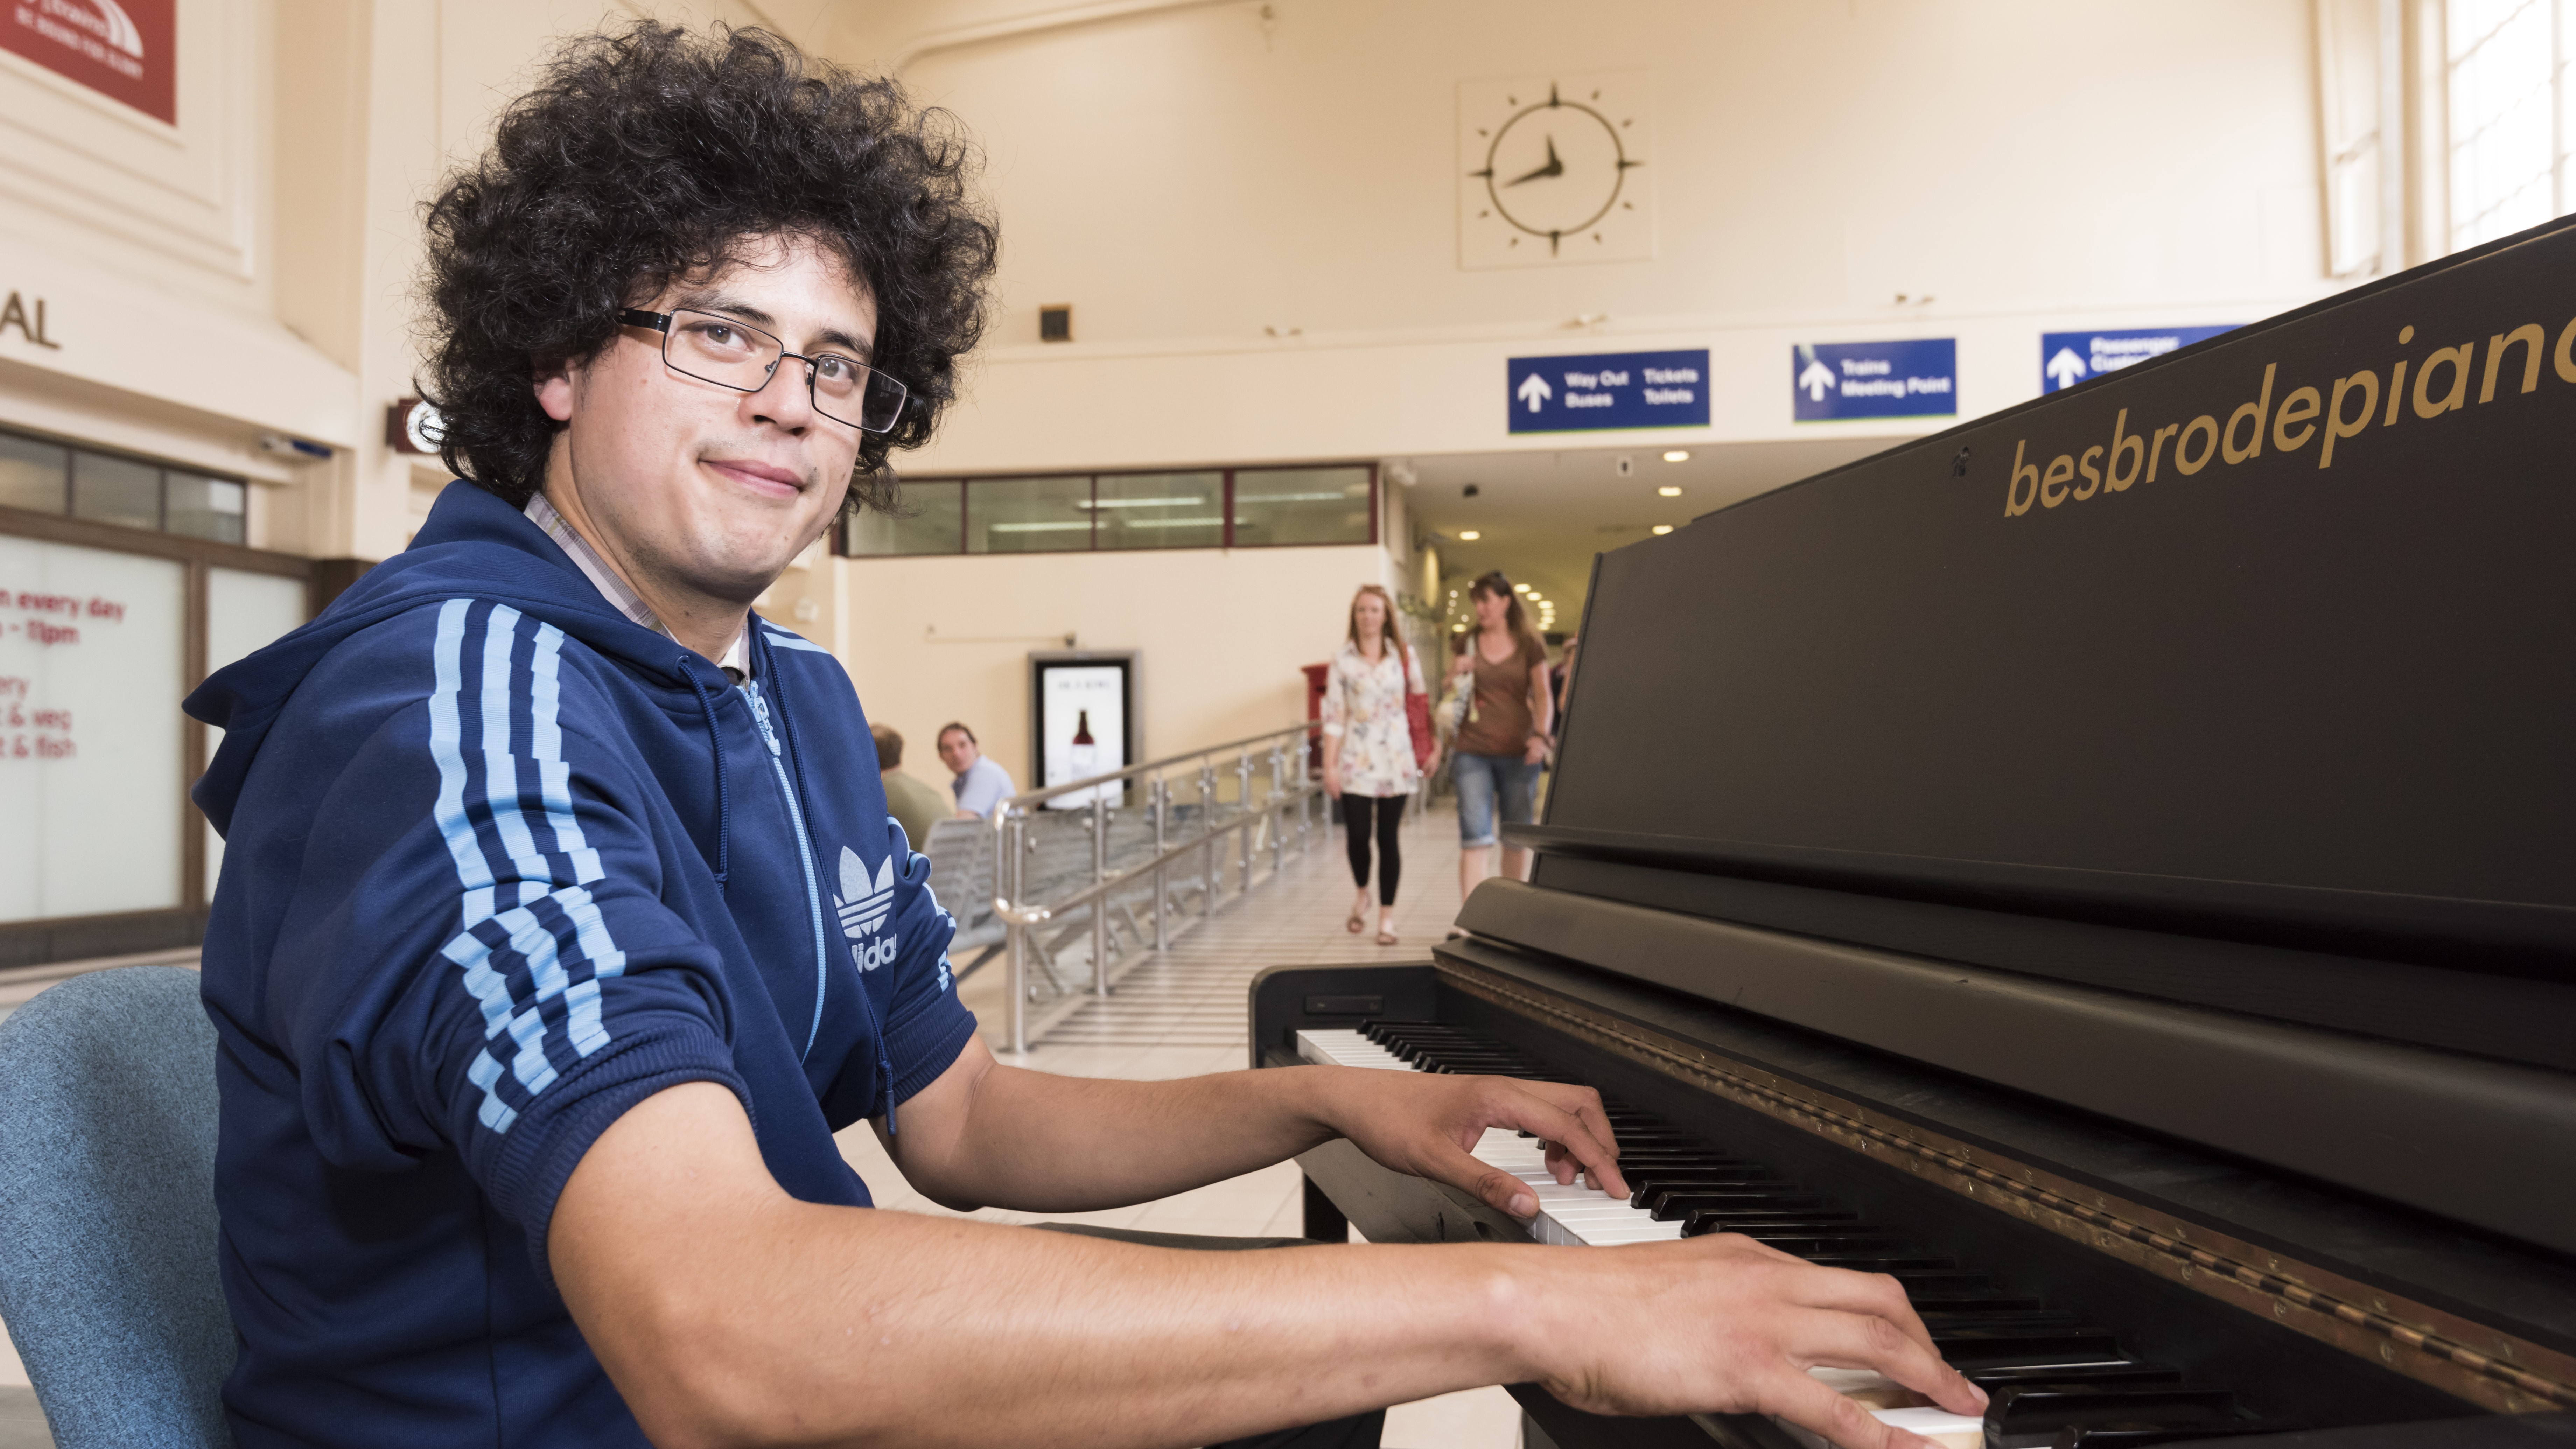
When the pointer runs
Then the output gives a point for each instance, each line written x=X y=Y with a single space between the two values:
x=1542 y=517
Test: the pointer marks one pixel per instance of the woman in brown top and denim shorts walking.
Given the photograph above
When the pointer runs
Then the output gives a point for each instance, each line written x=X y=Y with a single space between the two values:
x=1503 y=734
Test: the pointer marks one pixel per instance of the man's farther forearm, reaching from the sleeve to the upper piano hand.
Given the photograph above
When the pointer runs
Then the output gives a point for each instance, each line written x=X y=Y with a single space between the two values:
x=1042 y=1143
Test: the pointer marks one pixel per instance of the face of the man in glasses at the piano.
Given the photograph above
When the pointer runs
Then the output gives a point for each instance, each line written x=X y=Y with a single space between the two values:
x=699 y=494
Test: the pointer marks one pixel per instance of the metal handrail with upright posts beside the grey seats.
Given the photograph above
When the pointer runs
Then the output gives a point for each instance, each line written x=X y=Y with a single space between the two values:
x=1011 y=850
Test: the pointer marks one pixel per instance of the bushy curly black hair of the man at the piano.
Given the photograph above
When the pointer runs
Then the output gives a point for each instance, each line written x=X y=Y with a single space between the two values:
x=656 y=153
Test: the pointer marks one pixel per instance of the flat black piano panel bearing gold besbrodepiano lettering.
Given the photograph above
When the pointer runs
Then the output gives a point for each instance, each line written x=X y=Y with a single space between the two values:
x=2266 y=641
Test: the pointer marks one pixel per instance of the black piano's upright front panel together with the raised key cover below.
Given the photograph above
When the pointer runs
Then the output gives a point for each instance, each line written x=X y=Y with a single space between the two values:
x=2232 y=692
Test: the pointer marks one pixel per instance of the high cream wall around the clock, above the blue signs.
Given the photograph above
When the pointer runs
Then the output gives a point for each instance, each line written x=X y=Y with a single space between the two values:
x=1189 y=177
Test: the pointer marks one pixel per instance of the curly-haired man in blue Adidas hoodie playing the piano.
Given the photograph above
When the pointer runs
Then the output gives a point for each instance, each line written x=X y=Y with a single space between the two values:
x=558 y=937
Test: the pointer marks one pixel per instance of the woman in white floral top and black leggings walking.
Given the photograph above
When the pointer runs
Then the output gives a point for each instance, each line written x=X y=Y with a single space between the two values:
x=1369 y=749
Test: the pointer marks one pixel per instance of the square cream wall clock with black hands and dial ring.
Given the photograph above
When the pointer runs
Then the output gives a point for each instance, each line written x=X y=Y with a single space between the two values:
x=1555 y=171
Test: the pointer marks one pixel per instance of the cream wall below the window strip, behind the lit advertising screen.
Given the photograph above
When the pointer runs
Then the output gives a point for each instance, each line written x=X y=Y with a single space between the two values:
x=1222 y=636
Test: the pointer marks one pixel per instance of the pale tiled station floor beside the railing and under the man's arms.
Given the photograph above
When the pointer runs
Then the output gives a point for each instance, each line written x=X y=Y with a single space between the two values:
x=1186 y=1017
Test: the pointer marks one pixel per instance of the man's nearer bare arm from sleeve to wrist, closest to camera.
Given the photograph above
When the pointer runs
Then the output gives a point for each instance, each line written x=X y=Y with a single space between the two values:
x=772 y=1319
